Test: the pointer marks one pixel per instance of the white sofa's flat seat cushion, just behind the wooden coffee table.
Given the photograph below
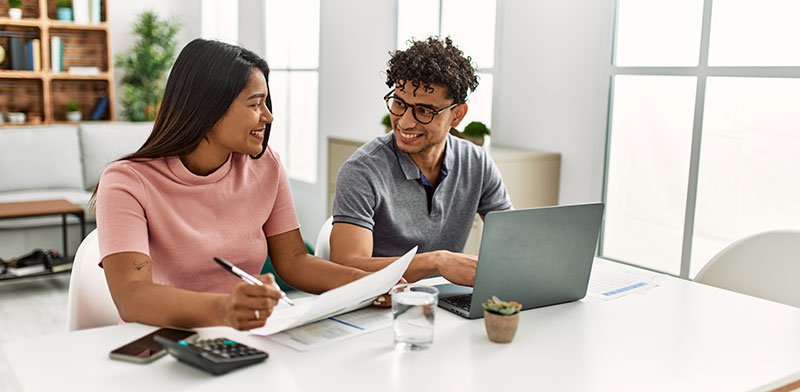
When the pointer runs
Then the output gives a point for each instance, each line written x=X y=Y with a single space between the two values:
x=73 y=195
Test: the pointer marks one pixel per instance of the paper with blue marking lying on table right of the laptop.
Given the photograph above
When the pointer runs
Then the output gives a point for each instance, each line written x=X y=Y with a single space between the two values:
x=611 y=282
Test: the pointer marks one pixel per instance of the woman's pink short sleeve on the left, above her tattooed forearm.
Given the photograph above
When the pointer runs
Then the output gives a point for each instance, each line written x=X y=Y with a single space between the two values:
x=121 y=218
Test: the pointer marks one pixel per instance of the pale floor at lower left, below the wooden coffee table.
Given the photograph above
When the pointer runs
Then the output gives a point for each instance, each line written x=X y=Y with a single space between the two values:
x=30 y=308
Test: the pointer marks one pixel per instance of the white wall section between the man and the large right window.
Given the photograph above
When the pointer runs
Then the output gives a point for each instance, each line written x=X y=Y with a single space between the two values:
x=551 y=85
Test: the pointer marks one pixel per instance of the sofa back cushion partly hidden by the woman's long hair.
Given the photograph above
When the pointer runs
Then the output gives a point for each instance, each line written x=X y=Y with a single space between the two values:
x=106 y=142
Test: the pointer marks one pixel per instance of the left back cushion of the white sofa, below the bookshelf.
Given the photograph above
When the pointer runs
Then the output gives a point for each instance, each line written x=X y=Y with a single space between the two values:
x=40 y=158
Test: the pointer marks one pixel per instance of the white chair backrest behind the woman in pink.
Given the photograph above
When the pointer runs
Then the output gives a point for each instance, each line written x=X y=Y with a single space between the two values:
x=89 y=303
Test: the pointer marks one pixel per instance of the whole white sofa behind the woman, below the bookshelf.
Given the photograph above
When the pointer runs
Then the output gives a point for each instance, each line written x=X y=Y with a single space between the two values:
x=57 y=162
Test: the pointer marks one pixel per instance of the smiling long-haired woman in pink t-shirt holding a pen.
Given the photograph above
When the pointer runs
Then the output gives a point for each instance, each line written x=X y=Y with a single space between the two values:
x=205 y=184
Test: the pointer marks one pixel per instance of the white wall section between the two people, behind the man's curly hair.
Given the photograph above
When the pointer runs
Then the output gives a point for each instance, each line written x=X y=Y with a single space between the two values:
x=355 y=39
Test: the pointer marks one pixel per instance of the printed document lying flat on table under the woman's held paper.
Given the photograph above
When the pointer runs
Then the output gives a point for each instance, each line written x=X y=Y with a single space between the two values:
x=334 y=329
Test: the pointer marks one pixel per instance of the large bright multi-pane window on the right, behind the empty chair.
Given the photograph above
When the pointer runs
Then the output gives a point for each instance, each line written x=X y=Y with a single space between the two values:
x=703 y=129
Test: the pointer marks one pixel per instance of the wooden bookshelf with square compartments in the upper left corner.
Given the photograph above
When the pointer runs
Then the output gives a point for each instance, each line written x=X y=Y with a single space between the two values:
x=43 y=94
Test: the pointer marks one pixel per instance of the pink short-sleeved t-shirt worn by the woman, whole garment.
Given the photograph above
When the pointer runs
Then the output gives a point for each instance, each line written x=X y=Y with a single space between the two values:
x=182 y=220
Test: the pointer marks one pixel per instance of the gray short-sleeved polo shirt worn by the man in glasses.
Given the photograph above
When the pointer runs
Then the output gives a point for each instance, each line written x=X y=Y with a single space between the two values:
x=379 y=188
